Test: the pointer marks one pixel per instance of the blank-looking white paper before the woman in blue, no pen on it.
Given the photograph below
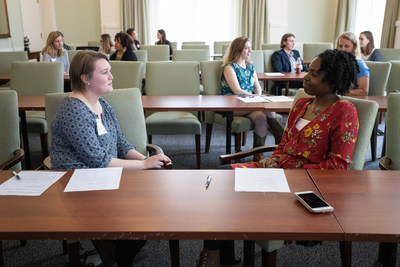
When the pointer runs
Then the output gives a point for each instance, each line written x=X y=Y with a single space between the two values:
x=94 y=179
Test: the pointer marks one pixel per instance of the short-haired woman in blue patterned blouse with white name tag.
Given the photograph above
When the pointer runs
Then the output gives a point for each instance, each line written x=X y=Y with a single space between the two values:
x=86 y=134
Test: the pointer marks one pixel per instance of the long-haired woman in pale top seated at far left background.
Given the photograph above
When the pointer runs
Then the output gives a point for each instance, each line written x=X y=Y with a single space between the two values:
x=54 y=50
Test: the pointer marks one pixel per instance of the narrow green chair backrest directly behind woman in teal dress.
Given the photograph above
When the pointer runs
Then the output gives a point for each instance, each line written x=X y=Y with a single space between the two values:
x=211 y=76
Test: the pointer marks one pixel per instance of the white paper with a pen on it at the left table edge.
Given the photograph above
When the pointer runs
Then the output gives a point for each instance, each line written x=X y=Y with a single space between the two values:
x=32 y=183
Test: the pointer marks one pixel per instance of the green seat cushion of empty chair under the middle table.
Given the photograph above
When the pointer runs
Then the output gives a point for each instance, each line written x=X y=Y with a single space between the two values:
x=172 y=122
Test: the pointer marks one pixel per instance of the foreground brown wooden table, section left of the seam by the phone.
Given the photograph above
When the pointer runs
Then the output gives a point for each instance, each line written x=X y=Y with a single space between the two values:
x=166 y=205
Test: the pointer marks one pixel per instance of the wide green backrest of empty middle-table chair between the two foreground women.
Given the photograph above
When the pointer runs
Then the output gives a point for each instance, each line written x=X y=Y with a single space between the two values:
x=173 y=78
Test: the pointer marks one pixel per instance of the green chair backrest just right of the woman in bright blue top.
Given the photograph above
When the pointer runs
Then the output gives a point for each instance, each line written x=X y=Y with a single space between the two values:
x=379 y=75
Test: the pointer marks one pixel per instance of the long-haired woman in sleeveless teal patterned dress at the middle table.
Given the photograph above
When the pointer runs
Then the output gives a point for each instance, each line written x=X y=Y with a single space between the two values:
x=240 y=78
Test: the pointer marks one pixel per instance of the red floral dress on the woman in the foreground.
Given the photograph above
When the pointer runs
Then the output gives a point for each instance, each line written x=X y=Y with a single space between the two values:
x=326 y=142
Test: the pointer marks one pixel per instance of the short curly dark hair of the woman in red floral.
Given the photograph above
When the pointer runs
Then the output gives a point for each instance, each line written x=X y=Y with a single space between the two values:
x=341 y=70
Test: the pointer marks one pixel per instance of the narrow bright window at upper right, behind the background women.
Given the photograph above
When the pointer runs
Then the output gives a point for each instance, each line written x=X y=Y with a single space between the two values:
x=369 y=17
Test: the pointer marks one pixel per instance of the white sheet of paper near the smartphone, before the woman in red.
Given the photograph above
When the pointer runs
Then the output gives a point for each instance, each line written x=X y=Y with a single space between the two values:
x=260 y=180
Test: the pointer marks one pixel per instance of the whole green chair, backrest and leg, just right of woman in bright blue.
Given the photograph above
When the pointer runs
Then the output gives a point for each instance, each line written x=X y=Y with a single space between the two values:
x=379 y=75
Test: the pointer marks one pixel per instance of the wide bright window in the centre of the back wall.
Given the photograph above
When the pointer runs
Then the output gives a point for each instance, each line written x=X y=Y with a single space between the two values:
x=194 y=20
